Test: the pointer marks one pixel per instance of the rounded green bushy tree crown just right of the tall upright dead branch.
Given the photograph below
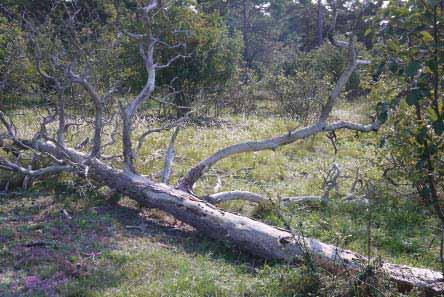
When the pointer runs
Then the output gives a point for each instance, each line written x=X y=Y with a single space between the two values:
x=212 y=57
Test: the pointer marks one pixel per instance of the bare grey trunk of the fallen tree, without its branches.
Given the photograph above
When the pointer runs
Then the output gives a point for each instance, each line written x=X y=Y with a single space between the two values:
x=253 y=236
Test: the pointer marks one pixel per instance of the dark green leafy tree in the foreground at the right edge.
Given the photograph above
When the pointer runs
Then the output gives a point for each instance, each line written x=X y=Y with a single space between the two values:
x=412 y=31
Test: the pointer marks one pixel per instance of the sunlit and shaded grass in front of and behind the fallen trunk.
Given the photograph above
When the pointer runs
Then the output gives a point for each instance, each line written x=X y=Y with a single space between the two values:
x=94 y=253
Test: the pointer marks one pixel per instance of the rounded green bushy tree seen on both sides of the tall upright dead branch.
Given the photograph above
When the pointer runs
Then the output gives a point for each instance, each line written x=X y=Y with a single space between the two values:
x=210 y=56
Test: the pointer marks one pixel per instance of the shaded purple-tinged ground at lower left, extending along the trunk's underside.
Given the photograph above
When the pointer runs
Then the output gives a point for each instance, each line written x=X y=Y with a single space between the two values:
x=51 y=246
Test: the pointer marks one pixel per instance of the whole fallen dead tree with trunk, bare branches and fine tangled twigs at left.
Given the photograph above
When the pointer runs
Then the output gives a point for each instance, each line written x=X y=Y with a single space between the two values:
x=256 y=237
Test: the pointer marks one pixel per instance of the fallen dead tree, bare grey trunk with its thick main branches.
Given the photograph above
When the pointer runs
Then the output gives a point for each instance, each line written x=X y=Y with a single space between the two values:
x=253 y=236
